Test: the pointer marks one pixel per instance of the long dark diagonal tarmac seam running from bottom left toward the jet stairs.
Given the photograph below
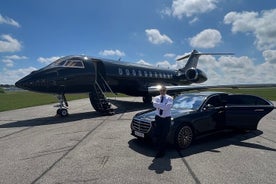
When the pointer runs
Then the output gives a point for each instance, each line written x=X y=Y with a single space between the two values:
x=69 y=150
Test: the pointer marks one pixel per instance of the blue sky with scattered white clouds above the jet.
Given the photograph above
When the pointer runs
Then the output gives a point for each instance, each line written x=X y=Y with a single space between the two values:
x=34 y=33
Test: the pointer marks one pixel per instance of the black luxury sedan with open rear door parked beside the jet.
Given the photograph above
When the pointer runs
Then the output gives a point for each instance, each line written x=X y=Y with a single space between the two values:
x=194 y=114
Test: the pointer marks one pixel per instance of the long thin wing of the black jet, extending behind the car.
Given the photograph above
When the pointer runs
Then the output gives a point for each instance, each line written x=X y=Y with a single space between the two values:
x=178 y=89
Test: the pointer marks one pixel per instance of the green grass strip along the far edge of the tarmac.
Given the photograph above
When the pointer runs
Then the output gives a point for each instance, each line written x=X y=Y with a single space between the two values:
x=22 y=99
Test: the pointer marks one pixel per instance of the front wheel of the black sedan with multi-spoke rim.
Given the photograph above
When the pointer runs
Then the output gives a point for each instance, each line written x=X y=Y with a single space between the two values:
x=184 y=137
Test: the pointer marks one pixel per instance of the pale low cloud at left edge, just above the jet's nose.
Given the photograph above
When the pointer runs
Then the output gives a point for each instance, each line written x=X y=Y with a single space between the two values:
x=11 y=76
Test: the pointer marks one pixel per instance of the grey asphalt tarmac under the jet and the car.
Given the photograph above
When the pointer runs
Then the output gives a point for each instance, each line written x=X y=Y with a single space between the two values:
x=85 y=147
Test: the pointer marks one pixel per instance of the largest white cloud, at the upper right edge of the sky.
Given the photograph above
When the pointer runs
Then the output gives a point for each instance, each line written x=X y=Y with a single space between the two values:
x=261 y=25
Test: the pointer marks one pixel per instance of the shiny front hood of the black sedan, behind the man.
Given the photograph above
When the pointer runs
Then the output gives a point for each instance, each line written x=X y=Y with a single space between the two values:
x=149 y=116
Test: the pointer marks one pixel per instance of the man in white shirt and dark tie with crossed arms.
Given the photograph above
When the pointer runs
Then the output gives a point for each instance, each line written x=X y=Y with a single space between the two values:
x=163 y=104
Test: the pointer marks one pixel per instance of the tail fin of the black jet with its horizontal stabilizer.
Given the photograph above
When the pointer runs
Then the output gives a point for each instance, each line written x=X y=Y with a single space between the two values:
x=193 y=59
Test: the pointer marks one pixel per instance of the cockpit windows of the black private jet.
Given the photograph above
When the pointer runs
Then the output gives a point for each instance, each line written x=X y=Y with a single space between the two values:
x=72 y=63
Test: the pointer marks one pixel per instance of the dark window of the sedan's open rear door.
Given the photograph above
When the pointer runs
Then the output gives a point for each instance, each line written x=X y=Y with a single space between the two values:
x=245 y=100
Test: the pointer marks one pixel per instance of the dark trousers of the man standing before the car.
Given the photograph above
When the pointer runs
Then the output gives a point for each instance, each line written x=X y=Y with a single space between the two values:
x=161 y=132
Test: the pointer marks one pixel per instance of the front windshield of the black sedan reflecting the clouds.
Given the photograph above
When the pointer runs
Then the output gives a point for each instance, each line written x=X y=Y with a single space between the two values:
x=188 y=102
